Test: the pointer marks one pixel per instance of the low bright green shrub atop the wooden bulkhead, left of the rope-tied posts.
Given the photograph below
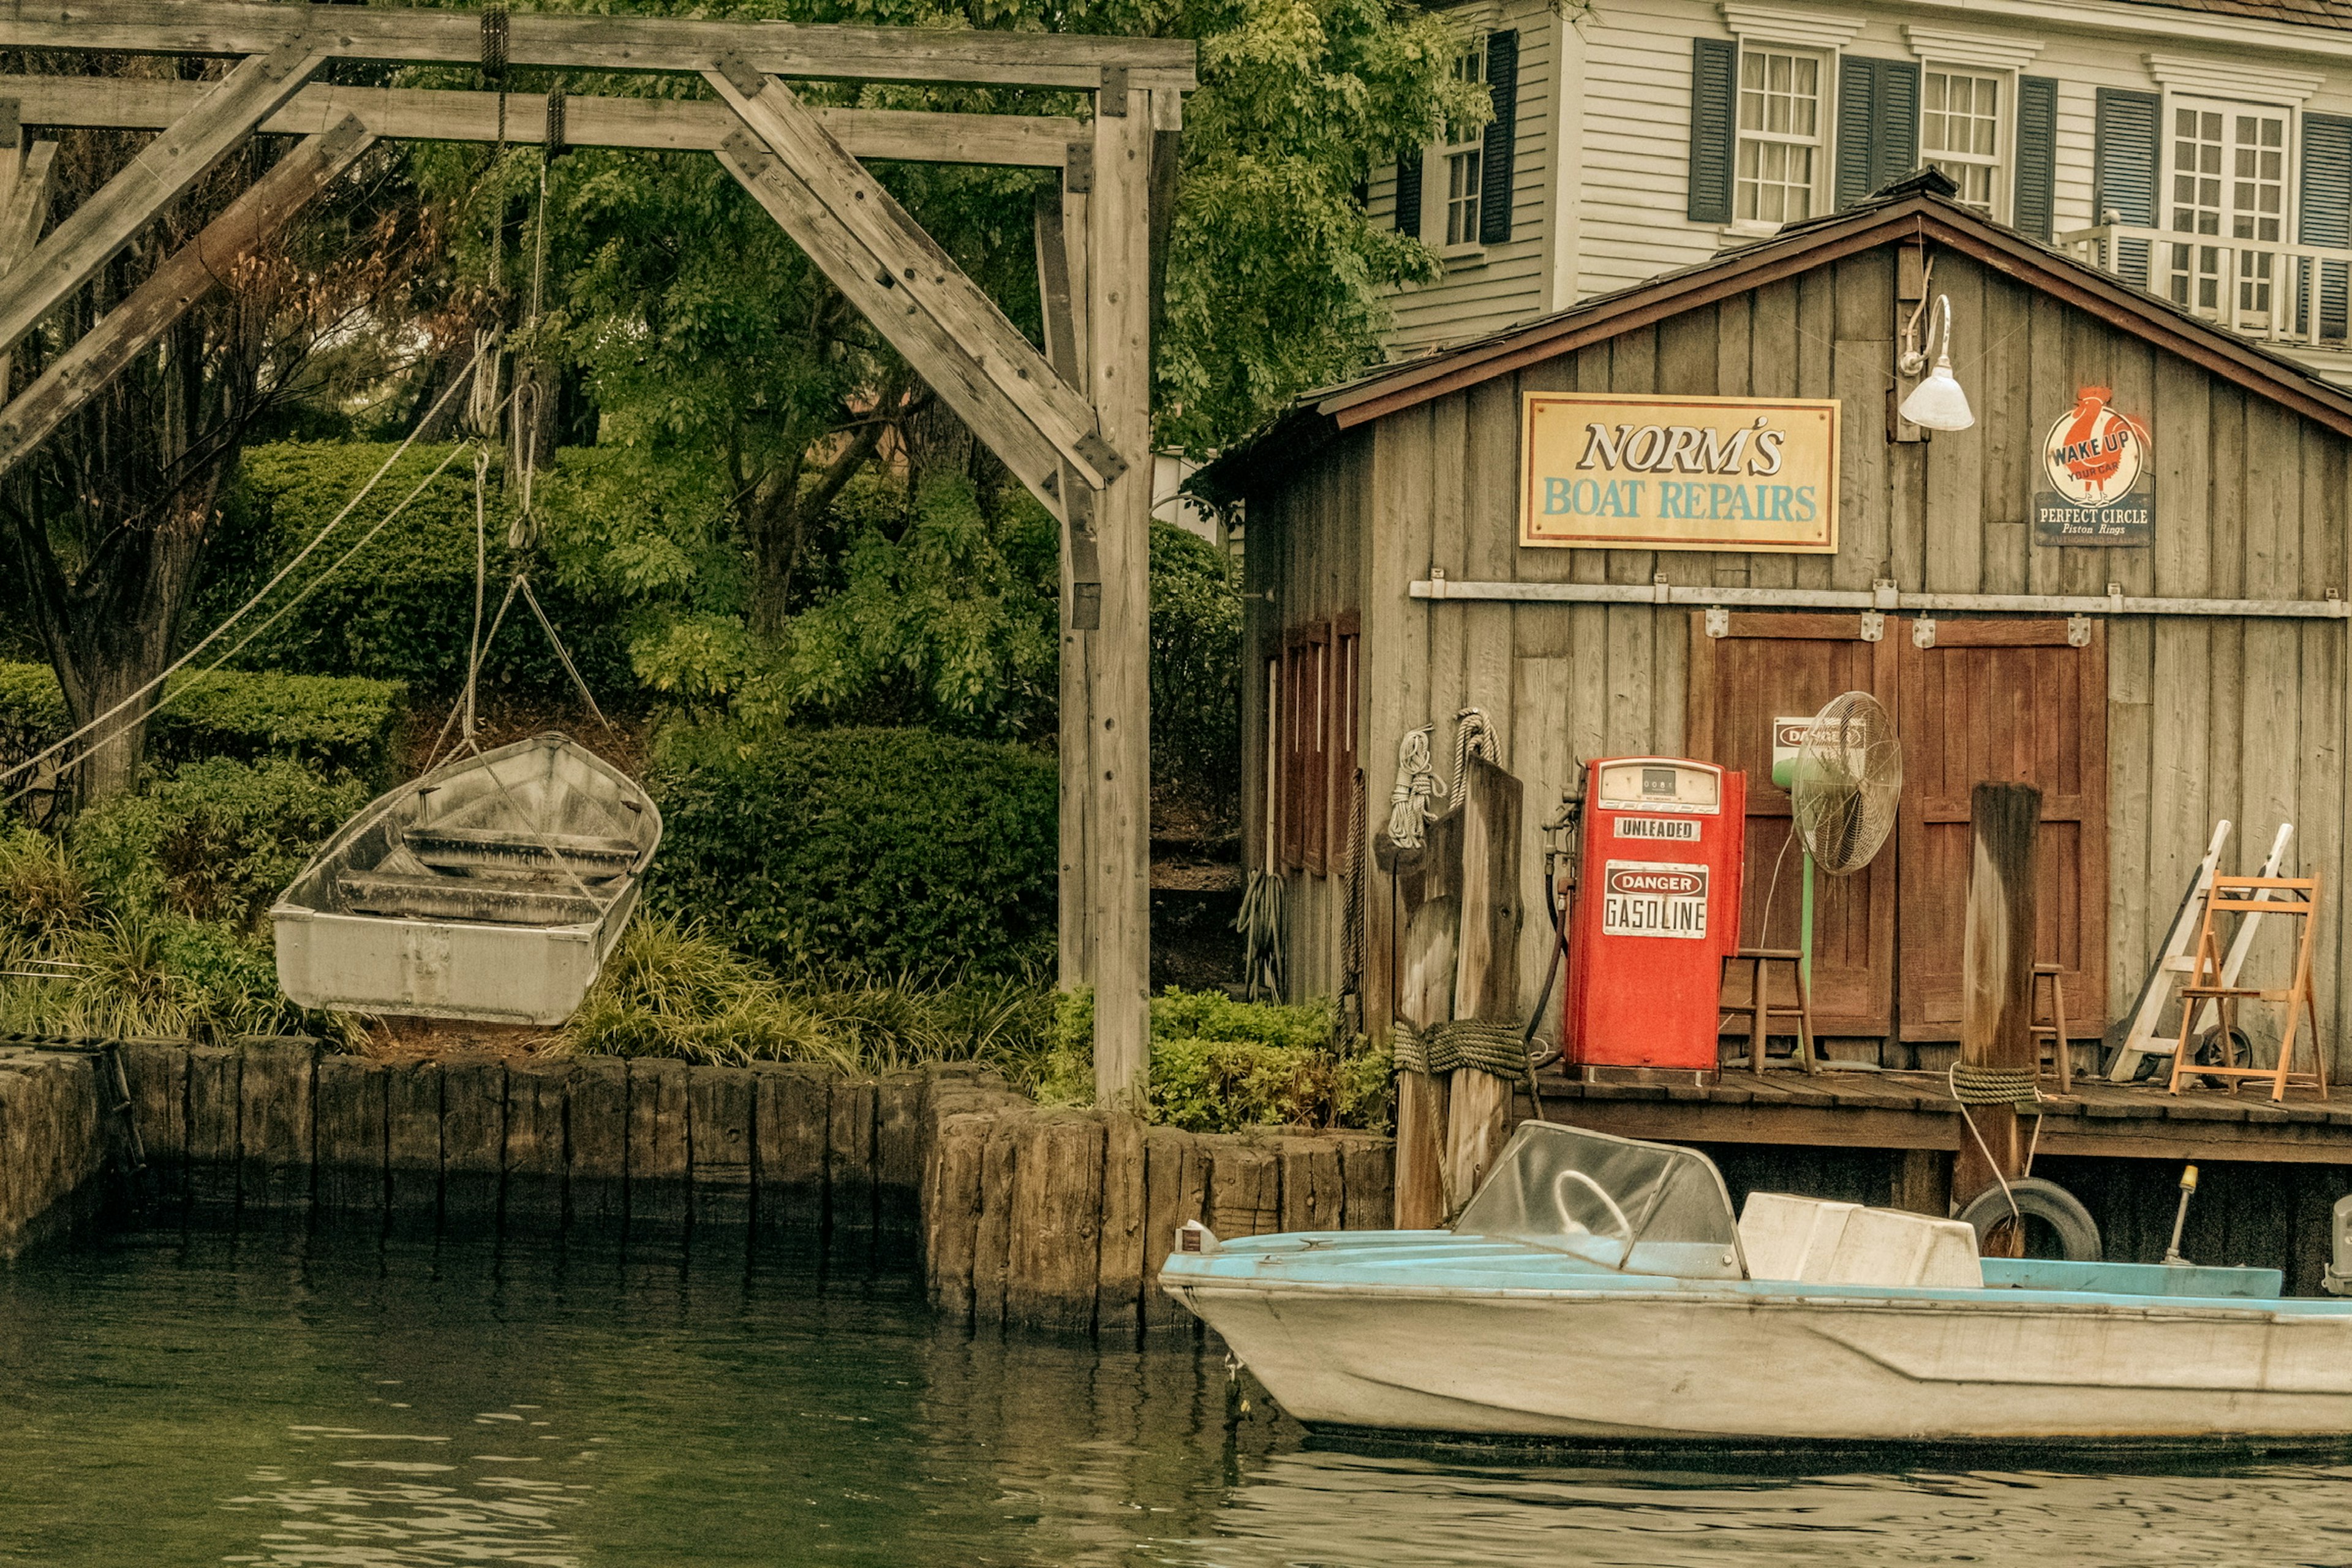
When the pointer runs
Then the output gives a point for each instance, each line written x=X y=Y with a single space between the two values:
x=1222 y=1066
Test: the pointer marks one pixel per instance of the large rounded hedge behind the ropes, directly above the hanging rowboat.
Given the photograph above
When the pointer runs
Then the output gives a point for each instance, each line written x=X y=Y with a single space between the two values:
x=403 y=608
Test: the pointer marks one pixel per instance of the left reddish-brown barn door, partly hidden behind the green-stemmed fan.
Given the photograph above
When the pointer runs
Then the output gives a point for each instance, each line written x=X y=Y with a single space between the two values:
x=1765 y=669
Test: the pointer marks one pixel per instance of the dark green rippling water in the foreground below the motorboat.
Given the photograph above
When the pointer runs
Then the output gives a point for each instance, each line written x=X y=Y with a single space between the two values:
x=361 y=1402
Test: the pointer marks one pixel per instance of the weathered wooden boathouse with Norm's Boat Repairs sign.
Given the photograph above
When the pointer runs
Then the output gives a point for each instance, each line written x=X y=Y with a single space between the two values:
x=1408 y=561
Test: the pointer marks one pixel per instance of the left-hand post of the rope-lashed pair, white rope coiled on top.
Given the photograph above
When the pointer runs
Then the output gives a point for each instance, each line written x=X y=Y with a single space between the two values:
x=1429 y=887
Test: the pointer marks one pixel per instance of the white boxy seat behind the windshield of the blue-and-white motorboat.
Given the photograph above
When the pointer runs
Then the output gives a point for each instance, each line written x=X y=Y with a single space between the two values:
x=1847 y=1245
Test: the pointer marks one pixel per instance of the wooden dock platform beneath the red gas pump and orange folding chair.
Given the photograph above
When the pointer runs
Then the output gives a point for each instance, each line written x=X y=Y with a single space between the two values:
x=1913 y=1111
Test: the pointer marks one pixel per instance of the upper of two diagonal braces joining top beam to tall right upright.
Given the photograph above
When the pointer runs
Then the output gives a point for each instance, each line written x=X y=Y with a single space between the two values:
x=918 y=276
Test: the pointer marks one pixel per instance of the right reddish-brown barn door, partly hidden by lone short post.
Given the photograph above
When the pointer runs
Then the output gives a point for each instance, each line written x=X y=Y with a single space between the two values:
x=2003 y=702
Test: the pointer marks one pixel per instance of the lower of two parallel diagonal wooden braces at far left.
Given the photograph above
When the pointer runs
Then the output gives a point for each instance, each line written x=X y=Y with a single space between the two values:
x=178 y=286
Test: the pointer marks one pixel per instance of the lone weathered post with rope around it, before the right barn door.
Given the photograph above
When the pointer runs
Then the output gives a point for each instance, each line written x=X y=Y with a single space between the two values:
x=1998 y=974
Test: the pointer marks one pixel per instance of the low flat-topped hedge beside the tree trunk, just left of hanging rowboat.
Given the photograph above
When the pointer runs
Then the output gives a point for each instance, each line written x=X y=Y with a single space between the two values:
x=342 y=725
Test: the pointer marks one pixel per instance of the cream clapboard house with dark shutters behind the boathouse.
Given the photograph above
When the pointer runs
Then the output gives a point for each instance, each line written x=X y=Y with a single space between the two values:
x=2200 y=149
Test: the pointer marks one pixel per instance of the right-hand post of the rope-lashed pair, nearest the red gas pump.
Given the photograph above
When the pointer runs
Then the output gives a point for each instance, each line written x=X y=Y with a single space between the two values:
x=1485 y=970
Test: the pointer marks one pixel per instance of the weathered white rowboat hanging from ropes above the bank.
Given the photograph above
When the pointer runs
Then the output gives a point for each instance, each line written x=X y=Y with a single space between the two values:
x=488 y=890
